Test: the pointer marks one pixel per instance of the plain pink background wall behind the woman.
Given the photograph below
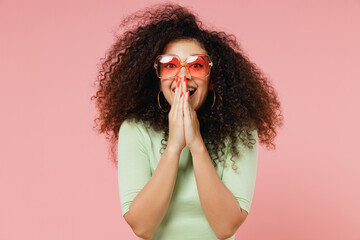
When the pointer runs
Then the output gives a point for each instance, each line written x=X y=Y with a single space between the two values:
x=56 y=178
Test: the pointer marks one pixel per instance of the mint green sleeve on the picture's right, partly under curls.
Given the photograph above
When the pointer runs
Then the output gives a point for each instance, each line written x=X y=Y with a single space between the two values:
x=241 y=182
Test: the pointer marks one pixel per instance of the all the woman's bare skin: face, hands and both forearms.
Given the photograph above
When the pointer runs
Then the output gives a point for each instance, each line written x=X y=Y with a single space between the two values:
x=220 y=206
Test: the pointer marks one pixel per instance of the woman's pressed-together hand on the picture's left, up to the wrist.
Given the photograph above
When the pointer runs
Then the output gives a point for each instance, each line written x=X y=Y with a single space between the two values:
x=176 y=140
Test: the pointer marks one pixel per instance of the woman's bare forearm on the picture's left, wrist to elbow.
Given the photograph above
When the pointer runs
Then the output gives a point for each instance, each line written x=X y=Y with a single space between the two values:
x=150 y=205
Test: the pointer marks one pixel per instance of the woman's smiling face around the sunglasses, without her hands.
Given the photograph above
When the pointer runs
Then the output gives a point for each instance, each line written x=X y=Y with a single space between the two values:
x=184 y=48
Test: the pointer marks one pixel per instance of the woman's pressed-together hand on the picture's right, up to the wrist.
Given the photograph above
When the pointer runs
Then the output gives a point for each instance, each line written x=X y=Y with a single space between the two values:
x=193 y=137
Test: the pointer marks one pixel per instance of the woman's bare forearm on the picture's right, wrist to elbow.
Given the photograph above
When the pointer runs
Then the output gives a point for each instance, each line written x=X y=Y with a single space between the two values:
x=218 y=203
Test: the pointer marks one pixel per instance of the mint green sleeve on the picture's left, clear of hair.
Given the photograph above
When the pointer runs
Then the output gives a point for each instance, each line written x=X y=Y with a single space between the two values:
x=133 y=163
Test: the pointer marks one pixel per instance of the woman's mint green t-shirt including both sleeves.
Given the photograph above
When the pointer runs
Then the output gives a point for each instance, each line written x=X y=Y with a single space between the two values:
x=138 y=156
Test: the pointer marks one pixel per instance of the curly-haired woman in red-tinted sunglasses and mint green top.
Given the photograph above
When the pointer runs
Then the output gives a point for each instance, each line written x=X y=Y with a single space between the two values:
x=179 y=99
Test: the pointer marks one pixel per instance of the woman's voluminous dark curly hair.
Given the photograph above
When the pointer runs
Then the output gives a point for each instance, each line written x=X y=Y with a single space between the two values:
x=128 y=85
